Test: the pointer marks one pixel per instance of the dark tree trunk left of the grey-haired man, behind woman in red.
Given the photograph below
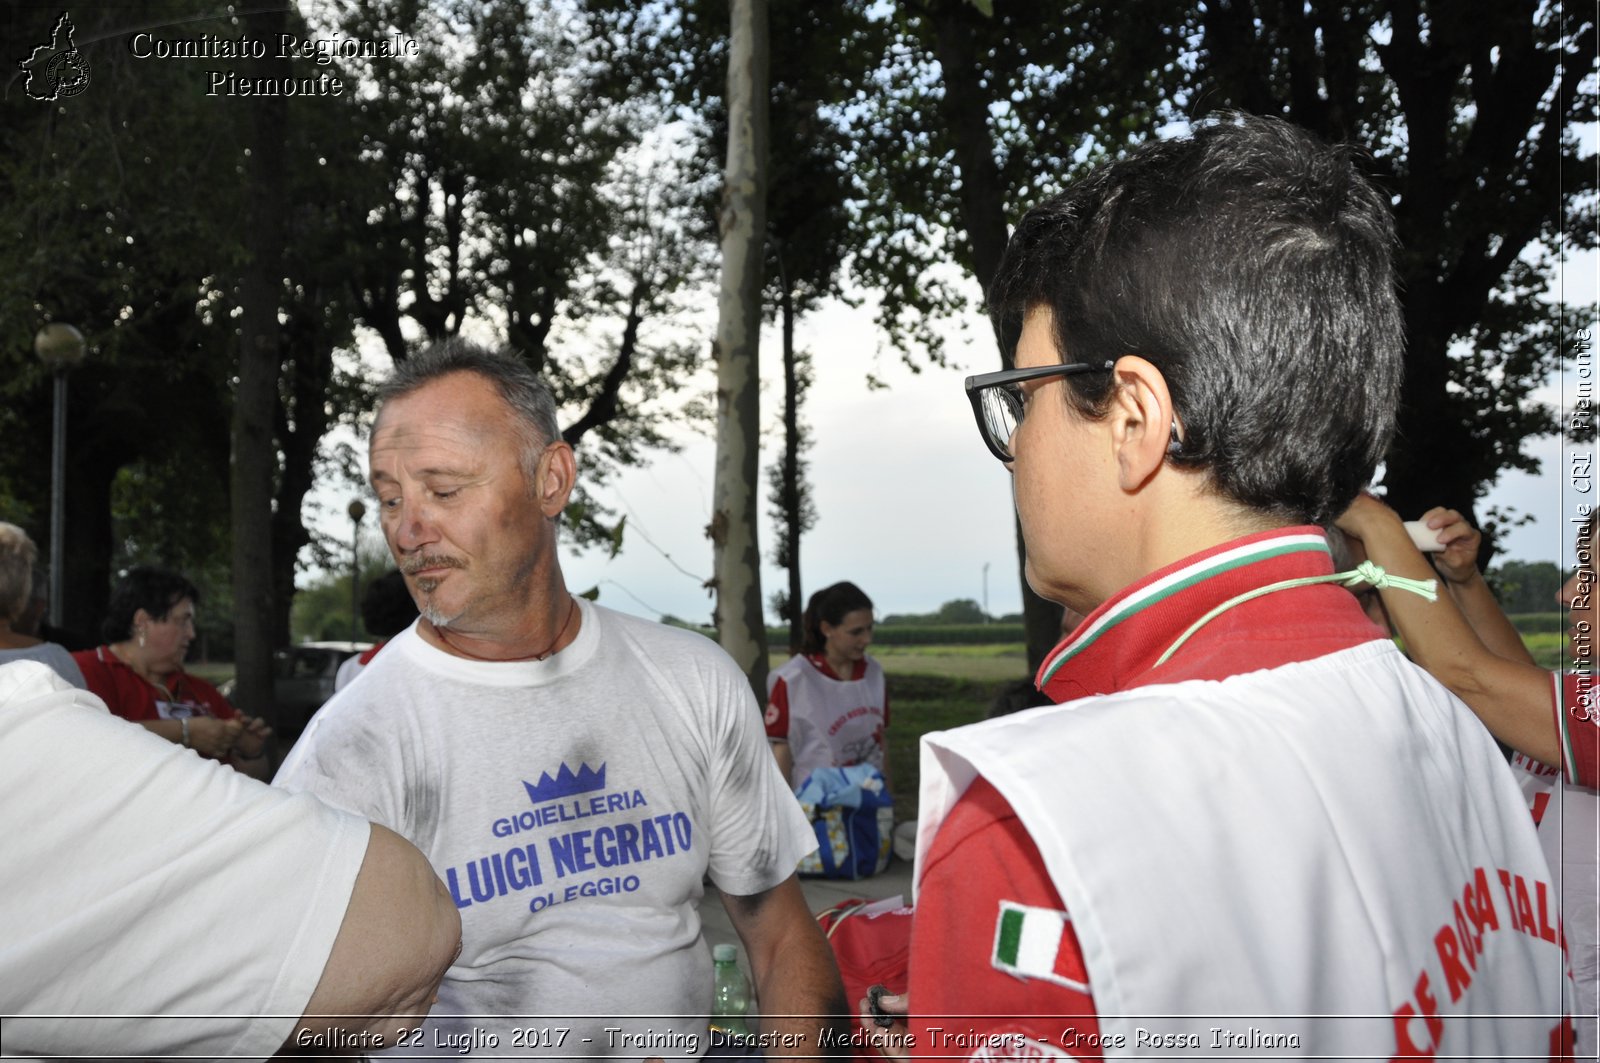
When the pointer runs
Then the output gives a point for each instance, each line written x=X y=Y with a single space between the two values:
x=258 y=391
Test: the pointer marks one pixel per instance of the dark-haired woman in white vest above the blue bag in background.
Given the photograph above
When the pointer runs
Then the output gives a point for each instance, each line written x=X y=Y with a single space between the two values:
x=828 y=707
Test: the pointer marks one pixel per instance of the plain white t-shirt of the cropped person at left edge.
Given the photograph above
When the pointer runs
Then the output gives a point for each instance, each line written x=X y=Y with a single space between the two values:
x=142 y=881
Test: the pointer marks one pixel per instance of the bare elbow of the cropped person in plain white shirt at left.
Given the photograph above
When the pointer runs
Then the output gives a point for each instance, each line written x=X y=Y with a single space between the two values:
x=399 y=937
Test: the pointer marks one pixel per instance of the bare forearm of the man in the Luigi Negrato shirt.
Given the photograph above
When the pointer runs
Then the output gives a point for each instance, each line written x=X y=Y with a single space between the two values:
x=796 y=977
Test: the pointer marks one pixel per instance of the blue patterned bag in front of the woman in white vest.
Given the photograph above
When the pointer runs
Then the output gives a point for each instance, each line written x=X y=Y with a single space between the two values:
x=854 y=817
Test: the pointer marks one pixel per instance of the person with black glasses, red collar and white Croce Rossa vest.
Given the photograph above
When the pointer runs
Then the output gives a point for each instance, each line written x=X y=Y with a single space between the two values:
x=1250 y=825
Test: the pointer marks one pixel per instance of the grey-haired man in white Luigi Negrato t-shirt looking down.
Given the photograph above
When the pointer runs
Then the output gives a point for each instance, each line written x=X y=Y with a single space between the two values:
x=574 y=774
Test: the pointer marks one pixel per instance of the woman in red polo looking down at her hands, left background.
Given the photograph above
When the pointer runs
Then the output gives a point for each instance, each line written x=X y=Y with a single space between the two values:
x=140 y=673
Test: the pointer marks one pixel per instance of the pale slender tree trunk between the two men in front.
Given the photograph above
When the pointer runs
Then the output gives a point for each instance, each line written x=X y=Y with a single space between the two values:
x=734 y=527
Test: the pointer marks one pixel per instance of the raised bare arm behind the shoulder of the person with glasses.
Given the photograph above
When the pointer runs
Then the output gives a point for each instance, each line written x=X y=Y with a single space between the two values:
x=1513 y=699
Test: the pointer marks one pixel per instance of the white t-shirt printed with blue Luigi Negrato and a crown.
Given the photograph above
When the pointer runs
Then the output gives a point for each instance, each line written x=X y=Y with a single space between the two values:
x=574 y=809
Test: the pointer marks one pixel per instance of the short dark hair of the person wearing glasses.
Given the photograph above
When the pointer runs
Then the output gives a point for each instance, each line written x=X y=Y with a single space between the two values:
x=1252 y=265
